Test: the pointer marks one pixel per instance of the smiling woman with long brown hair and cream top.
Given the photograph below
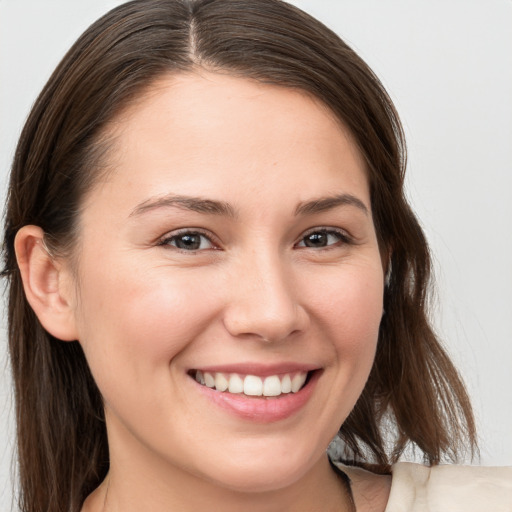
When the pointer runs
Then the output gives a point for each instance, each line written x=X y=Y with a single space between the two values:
x=213 y=271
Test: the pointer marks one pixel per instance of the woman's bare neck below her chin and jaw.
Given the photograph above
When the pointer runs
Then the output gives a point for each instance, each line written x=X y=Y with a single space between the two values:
x=125 y=490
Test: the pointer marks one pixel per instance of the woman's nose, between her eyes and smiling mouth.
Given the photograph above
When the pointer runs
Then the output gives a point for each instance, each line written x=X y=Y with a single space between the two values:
x=263 y=303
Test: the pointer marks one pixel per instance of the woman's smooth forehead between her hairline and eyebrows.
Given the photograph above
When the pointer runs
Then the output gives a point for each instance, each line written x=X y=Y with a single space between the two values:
x=217 y=134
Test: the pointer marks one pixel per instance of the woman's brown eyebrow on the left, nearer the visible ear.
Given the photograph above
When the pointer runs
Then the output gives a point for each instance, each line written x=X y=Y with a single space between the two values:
x=195 y=204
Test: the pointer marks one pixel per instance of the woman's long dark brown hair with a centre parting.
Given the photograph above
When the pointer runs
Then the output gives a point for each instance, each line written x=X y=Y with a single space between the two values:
x=413 y=395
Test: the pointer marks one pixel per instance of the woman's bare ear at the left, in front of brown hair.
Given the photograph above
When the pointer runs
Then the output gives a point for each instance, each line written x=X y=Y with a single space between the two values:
x=47 y=284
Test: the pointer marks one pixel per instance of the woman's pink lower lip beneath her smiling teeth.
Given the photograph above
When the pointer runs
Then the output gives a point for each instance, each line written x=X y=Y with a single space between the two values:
x=262 y=409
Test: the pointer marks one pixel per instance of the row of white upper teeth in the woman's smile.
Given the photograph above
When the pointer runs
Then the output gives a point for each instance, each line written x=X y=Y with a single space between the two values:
x=252 y=385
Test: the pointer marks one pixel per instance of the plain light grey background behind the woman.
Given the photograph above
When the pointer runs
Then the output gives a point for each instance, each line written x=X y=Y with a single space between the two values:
x=447 y=66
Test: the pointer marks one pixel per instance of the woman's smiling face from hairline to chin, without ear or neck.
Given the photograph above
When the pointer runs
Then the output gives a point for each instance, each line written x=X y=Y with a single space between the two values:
x=229 y=283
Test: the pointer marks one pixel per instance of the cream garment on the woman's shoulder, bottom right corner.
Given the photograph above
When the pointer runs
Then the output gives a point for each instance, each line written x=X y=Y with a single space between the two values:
x=450 y=488
